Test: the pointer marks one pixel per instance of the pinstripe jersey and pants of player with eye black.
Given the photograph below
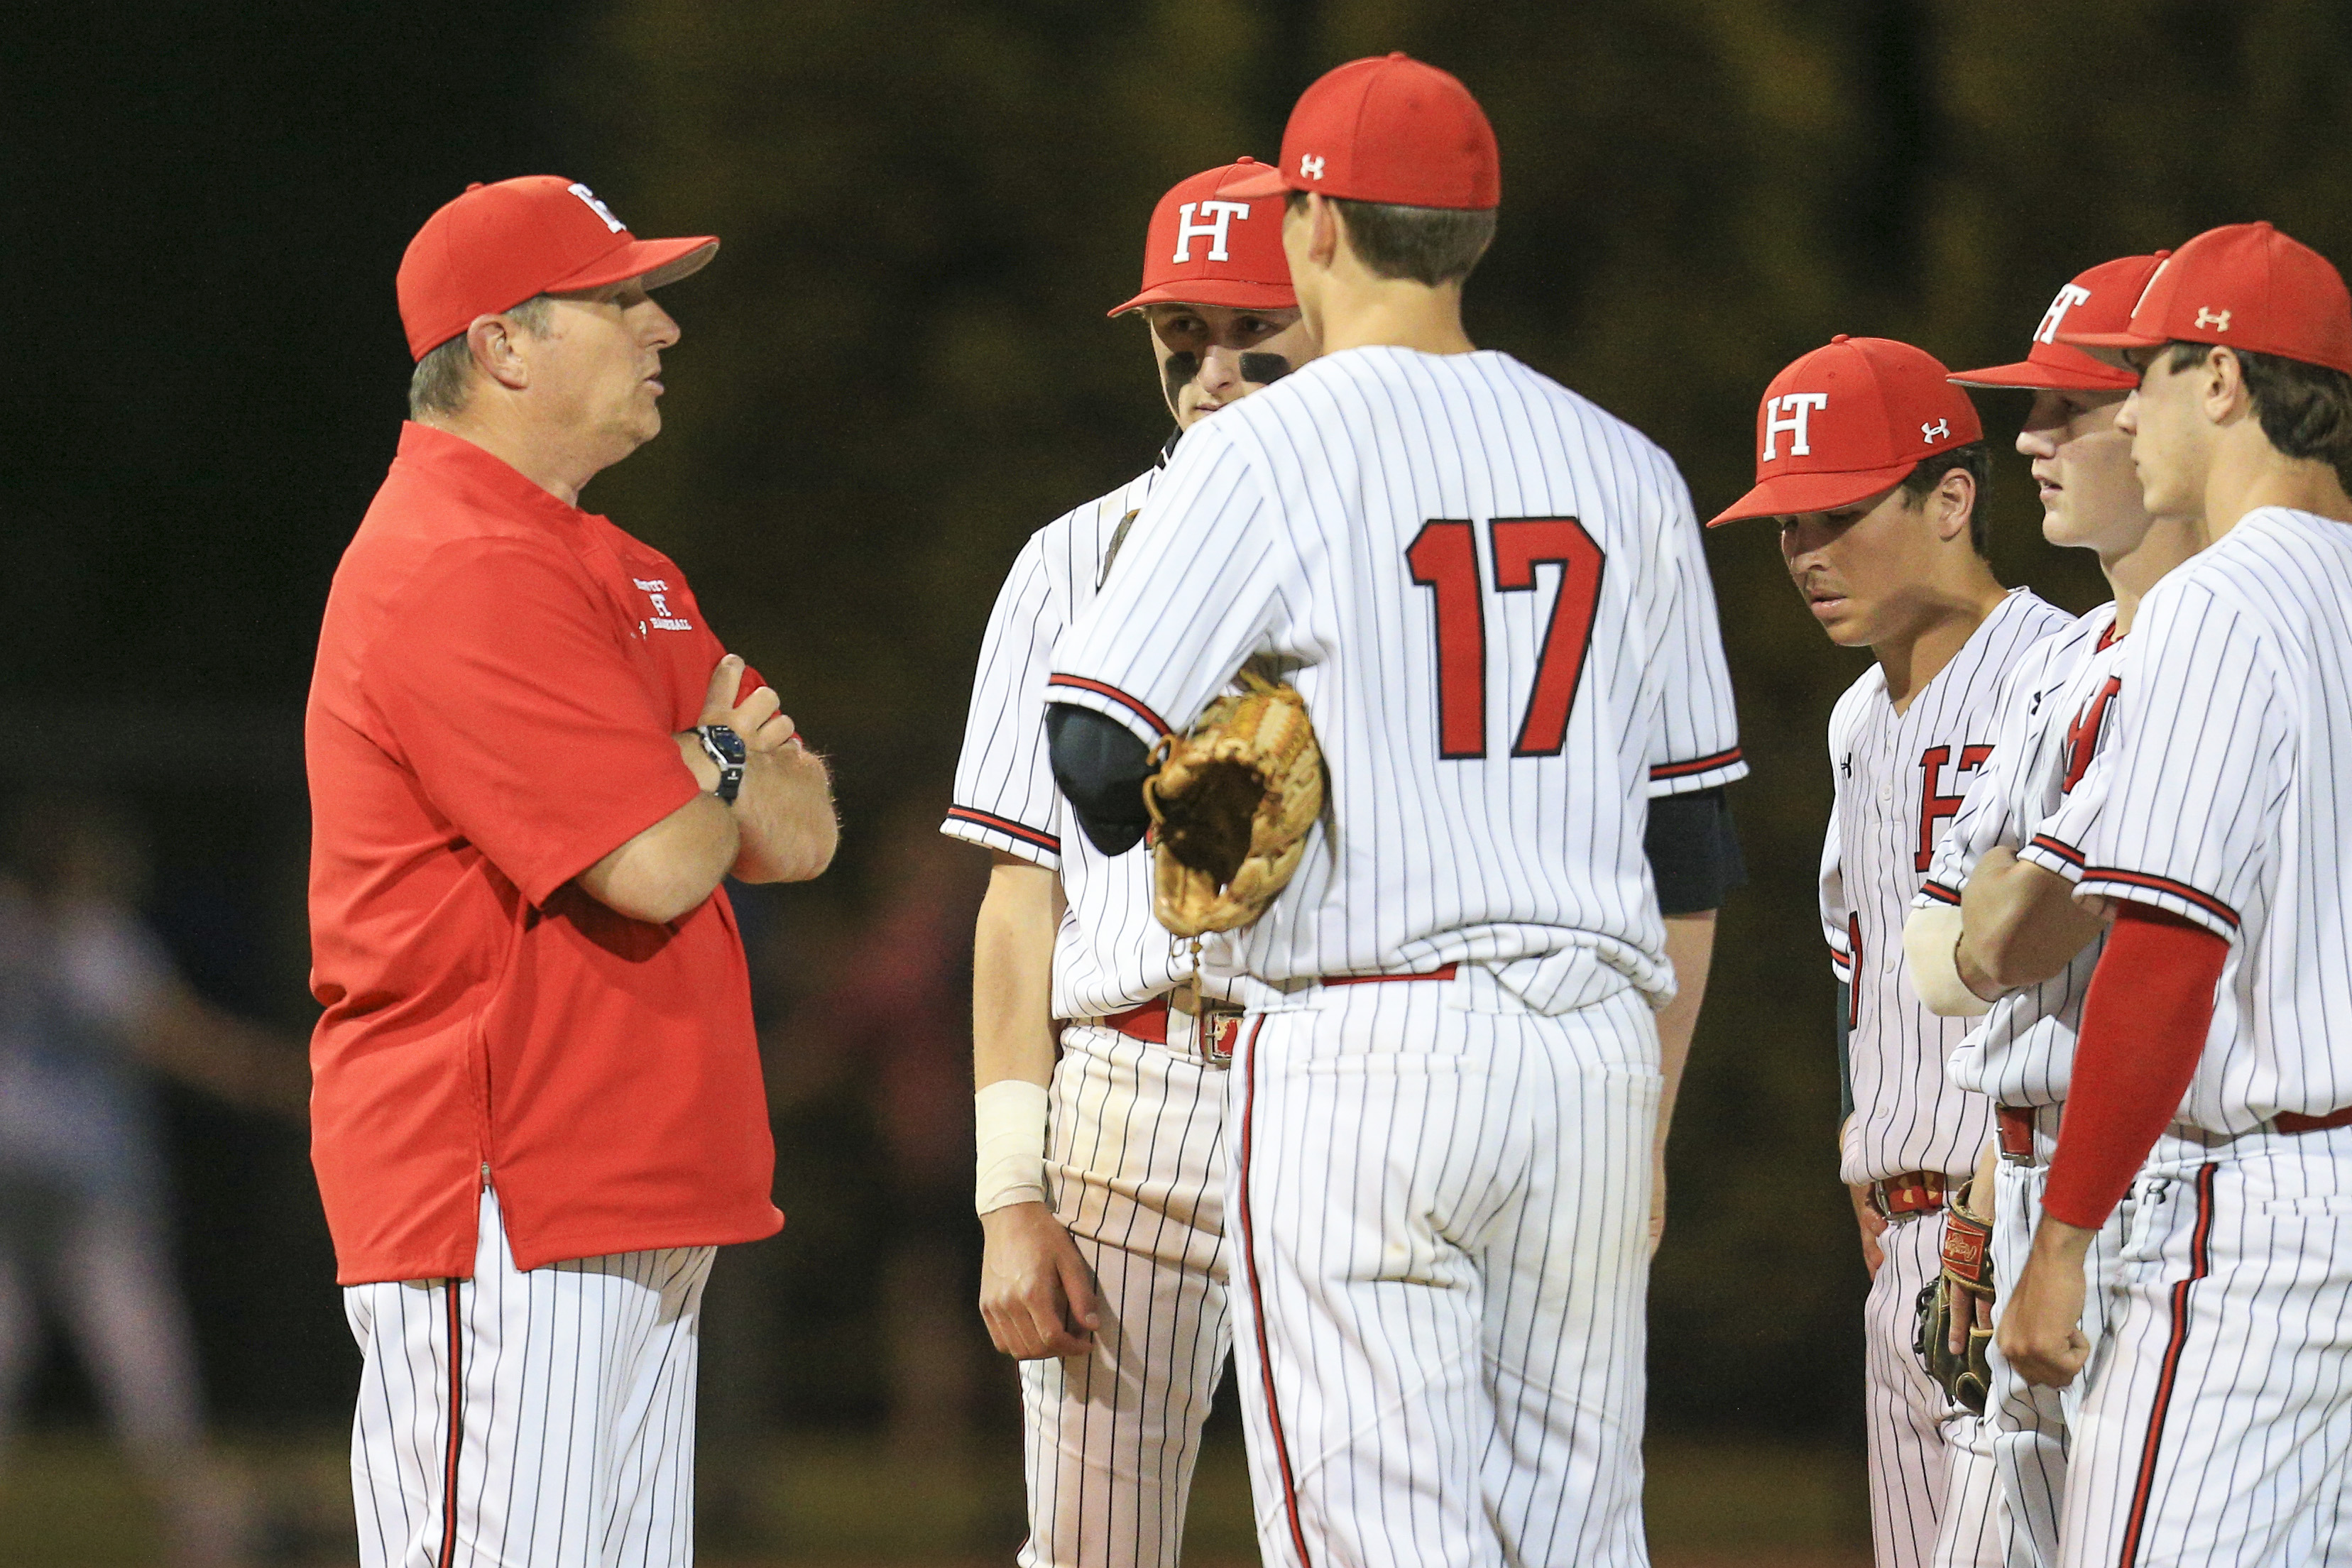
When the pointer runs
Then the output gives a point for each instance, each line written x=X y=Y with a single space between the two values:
x=1135 y=1130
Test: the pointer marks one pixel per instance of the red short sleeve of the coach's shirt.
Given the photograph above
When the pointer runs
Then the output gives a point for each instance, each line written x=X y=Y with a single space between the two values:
x=528 y=725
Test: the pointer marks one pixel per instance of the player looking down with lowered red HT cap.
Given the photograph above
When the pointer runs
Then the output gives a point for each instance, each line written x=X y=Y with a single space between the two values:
x=1873 y=464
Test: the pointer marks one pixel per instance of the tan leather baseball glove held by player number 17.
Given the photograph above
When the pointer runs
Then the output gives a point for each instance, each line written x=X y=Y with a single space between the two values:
x=1231 y=808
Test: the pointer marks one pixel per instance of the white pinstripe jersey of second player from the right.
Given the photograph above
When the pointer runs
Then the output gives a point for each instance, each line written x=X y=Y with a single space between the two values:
x=2052 y=718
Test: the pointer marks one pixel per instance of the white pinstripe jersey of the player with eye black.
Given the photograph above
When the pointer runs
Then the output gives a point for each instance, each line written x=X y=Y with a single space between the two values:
x=1109 y=953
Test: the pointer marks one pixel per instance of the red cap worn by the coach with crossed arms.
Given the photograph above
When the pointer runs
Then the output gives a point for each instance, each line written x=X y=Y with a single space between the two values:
x=500 y=246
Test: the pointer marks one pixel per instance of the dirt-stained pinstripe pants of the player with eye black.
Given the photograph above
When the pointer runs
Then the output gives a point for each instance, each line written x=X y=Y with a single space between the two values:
x=1137 y=1177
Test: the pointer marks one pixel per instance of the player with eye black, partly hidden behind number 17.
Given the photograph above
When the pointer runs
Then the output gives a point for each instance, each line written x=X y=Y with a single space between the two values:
x=1097 y=1050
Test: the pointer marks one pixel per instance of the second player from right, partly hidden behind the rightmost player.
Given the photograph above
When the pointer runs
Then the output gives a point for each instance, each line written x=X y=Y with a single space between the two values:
x=1996 y=930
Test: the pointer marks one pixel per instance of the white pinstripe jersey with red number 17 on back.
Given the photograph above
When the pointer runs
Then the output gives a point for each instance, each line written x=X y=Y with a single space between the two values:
x=1495 y=603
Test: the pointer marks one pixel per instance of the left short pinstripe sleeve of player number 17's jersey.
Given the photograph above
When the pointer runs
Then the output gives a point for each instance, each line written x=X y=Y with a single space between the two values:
x=1201 y=587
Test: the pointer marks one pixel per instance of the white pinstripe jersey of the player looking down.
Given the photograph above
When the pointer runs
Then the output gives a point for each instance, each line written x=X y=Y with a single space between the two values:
x=1899 y=782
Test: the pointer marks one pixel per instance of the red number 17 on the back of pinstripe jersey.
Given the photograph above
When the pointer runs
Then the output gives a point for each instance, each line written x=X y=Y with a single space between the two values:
x=1445 y=561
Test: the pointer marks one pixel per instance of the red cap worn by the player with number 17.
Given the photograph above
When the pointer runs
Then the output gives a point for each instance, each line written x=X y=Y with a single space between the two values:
x=1389 y=130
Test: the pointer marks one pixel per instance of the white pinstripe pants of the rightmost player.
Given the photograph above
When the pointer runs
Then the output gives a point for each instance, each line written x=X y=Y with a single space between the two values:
x=2219 y=1426
